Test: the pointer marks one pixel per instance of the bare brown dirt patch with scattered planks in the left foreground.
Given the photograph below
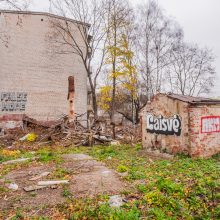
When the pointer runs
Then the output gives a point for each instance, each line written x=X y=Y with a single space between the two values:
x=87 y=178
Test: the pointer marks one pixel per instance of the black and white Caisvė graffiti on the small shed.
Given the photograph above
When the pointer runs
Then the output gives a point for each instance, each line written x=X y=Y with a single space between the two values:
x=166 y=126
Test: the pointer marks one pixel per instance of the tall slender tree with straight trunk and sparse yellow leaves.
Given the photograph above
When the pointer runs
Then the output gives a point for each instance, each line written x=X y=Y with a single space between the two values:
x=117 y=20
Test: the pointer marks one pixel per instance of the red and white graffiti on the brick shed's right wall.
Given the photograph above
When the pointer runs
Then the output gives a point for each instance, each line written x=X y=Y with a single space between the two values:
x=210 y=124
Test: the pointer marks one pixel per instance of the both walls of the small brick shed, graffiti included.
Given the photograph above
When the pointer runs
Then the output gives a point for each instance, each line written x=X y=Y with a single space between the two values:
x=200 y=126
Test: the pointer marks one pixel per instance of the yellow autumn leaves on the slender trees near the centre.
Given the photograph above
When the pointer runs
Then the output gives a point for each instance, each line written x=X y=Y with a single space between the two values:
x=119 y=57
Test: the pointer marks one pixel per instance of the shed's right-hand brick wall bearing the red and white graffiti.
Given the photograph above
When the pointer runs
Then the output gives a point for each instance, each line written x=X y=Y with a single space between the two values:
x=204 y=138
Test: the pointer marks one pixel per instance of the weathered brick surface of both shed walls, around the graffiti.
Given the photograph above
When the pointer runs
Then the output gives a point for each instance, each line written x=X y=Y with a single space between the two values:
x=192 y=140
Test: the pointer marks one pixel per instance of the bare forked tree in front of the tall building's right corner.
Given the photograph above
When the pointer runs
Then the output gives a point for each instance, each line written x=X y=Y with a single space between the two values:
x=93 y=35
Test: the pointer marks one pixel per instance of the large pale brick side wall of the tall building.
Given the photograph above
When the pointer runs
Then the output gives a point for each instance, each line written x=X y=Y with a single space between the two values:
x=33 y=78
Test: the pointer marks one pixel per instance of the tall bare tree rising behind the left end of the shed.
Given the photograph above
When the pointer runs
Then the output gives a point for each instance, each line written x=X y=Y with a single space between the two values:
x=156 y=36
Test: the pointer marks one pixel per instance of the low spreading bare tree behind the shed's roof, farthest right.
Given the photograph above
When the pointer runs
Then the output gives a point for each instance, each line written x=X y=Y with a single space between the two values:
x=191 y=72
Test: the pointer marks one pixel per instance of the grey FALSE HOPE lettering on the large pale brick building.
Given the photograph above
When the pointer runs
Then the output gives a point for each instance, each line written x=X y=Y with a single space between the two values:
x=13 y=101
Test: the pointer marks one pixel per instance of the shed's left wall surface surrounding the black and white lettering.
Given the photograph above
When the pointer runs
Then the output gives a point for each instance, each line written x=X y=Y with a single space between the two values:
x=161 y=105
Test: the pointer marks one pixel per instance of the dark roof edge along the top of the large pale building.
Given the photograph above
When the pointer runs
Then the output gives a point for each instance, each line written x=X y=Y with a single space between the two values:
x=44 y=14
